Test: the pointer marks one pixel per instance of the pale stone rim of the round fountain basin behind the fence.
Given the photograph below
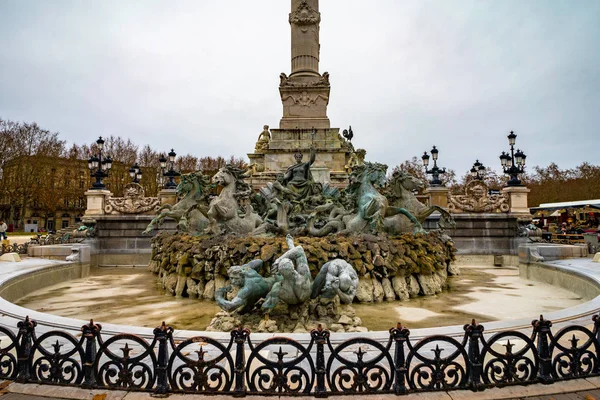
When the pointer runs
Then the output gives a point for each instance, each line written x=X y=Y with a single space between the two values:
x=32 y=273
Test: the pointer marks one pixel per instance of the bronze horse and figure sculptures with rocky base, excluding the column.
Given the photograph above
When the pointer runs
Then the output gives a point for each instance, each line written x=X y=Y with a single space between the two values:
x=257 y=254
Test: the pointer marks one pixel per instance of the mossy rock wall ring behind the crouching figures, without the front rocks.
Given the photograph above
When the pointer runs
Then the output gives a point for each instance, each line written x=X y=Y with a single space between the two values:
x=388 y=268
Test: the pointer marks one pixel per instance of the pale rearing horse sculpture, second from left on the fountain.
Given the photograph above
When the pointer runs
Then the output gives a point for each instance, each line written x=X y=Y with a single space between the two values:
x=224 y=211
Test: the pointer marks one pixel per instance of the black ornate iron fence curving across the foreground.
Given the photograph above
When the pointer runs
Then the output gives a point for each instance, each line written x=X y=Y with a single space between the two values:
x=281 y=365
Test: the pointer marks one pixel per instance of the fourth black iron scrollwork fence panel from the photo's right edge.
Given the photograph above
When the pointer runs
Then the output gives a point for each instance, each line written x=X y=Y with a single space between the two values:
x=366 y=367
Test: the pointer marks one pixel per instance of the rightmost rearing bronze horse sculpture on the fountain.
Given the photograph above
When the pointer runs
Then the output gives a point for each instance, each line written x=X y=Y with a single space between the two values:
x=401 y=187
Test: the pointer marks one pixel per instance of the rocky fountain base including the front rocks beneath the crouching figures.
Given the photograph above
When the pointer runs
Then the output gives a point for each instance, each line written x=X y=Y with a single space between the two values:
x=388 y=268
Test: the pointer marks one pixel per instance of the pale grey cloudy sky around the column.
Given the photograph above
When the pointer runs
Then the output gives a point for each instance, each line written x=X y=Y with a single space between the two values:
x=202 y=75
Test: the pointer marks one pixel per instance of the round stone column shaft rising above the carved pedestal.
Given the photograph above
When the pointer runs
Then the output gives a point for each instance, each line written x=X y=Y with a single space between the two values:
x=304 y=21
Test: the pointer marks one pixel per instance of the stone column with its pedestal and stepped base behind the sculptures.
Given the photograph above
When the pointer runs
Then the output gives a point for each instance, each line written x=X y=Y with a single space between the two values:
x=304 y=125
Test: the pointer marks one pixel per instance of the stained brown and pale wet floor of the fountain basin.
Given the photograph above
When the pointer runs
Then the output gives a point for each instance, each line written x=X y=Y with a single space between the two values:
x=131 y=297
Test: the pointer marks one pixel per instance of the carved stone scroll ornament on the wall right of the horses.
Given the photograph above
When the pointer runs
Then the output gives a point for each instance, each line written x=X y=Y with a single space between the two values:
x=478 y=200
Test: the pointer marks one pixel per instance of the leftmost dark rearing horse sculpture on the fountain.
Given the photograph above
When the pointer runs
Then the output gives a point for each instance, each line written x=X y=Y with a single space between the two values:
x=187 y=211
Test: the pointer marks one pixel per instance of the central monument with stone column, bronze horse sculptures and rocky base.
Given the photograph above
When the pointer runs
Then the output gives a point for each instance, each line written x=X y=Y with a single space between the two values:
x=292 y=242
